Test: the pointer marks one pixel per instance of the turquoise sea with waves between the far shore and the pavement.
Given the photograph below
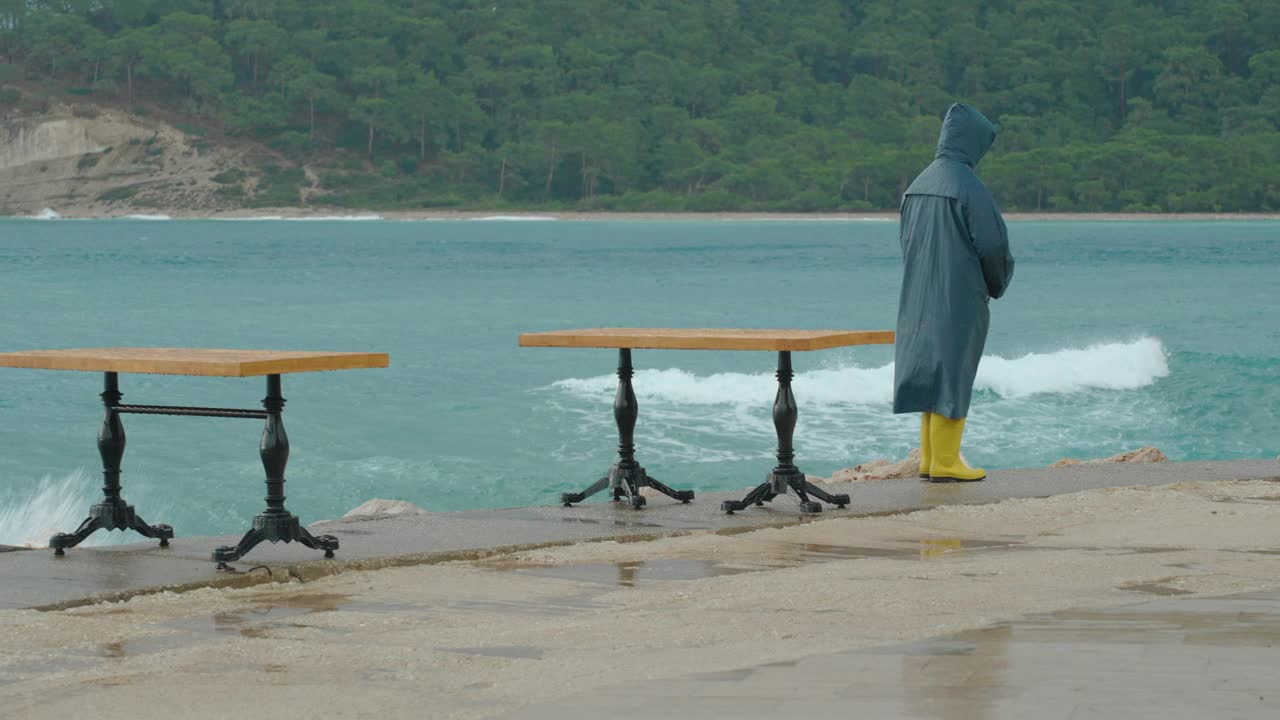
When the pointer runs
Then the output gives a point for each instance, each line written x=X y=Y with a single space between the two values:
x=1114 y=335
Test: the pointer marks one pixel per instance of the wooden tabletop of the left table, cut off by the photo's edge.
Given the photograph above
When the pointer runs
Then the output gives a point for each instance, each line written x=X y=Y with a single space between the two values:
x=191 y=362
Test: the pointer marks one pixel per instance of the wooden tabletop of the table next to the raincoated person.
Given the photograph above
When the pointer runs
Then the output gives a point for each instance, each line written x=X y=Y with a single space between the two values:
x=706 y=339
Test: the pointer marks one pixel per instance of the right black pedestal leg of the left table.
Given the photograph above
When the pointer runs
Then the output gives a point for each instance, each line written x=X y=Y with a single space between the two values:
x=275 y=525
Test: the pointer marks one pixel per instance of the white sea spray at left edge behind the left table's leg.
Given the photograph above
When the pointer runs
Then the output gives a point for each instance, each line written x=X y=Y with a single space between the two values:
x=54 y=505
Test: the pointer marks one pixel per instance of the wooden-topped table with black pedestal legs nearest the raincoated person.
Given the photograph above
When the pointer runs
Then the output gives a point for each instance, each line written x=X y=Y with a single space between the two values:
x=628 y=477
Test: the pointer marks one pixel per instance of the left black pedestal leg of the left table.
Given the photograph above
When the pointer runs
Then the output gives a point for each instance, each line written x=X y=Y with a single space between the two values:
x=113 y=513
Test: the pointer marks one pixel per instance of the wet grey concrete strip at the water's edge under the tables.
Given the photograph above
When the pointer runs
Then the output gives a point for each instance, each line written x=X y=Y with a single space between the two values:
x=38 y=580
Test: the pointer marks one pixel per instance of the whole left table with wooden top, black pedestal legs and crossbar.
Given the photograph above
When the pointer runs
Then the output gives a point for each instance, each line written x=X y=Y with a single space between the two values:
x=276 y=523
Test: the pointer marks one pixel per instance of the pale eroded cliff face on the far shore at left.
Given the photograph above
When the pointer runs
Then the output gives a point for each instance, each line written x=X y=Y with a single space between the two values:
x=84 y=162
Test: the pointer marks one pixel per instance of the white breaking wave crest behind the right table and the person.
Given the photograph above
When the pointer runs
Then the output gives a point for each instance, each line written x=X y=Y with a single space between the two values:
x=1116 y=366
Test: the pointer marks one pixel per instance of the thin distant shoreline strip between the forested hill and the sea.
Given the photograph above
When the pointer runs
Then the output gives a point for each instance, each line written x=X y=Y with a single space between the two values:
x=568 y=216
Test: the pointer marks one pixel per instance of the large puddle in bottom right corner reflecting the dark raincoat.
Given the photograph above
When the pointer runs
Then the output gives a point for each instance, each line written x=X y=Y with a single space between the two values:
x=1101 y=655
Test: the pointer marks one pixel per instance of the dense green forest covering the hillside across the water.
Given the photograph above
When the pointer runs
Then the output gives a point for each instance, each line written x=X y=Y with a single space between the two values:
x=806 y=106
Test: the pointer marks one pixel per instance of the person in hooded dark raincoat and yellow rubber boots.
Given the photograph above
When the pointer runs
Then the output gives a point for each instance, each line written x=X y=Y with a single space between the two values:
x=956 y=259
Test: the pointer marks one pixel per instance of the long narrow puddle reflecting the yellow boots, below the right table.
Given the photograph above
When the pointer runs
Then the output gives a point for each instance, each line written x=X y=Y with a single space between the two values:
x=757 y=557
